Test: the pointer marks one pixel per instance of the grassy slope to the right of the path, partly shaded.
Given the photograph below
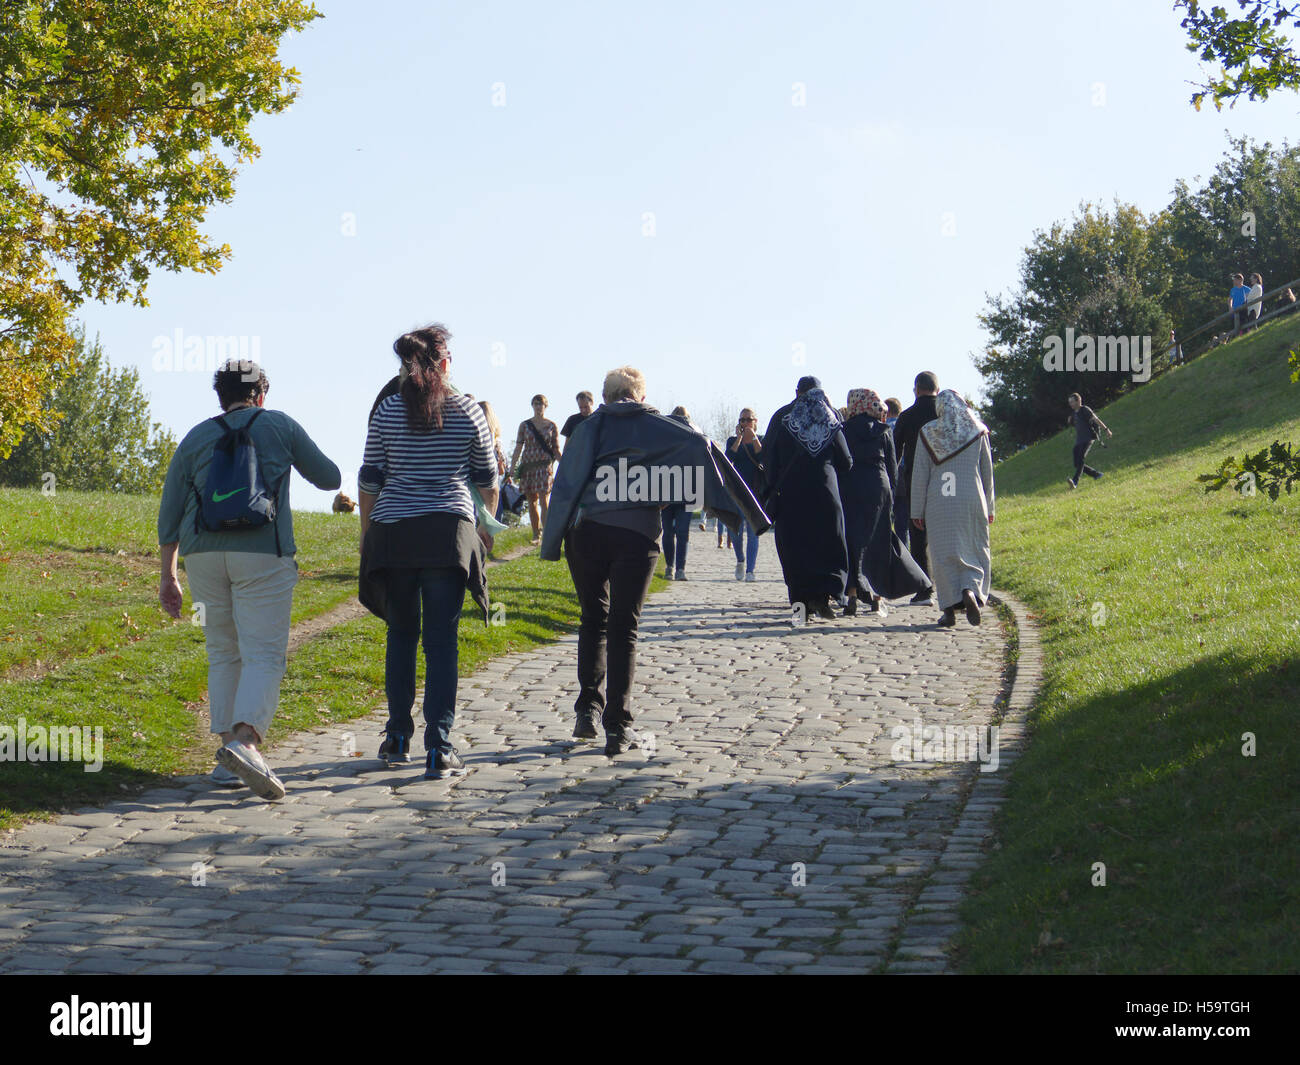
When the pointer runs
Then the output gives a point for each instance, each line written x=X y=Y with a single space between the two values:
x=1171 y=631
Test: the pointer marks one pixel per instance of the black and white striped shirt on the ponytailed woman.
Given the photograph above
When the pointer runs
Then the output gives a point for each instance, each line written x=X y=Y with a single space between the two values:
x=417 y=474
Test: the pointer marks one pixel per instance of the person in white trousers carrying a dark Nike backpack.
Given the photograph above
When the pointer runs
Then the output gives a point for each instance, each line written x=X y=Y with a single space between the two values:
x=226 y=508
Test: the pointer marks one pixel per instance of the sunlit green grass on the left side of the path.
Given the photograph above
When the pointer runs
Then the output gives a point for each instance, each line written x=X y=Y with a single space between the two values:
x=144 y=683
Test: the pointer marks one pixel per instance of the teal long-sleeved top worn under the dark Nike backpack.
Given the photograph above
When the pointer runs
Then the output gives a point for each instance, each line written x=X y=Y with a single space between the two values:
x=283 y=444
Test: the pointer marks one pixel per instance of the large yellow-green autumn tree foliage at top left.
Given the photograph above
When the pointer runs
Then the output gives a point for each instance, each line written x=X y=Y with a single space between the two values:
x=120 y=125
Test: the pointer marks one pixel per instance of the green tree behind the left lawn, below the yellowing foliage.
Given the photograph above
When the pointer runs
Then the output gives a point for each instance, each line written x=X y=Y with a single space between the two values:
x=103 y=439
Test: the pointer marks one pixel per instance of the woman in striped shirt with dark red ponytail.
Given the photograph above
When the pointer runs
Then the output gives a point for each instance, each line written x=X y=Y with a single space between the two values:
x=418 y=525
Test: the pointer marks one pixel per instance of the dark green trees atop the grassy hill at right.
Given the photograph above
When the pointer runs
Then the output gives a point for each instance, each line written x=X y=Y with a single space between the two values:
x=1124 y=274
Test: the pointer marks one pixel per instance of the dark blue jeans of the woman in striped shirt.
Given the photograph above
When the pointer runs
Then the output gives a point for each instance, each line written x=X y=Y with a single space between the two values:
x=441 y=594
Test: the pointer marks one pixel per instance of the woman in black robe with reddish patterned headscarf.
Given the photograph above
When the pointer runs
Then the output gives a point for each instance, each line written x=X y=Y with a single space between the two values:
x=881 y=568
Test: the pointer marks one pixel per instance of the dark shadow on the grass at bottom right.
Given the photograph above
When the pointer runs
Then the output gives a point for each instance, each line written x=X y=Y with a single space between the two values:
x=1128 y=780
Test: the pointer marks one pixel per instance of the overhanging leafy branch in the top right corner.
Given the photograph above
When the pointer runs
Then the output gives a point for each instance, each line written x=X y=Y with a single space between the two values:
x=1255 y=57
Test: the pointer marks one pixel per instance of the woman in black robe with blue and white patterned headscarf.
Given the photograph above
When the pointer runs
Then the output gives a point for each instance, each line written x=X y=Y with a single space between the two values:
x=804 y=456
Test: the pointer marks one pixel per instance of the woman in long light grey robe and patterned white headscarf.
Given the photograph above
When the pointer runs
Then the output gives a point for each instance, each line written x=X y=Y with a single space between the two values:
x=952 y=501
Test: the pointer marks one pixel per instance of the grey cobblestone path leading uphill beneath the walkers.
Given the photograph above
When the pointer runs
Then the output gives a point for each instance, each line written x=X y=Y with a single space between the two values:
x=772 y=829
